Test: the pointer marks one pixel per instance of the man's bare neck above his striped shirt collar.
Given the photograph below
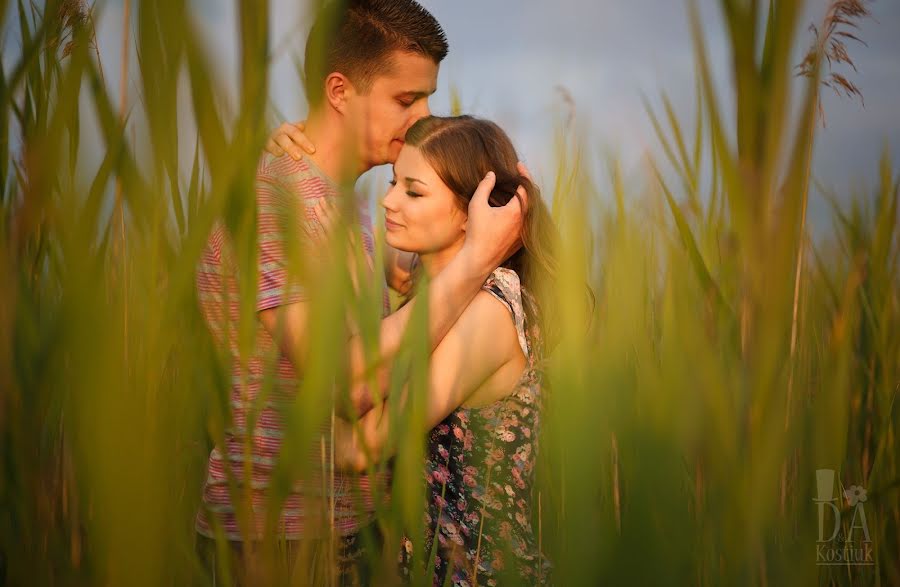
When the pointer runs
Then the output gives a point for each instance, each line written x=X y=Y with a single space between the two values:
x=335 y=150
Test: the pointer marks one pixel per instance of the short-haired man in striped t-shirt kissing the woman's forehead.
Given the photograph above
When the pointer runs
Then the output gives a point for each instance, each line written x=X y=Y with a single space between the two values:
x=380 y=65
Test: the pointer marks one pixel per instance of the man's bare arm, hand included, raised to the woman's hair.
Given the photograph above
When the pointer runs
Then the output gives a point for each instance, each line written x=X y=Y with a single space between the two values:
x=492 y=235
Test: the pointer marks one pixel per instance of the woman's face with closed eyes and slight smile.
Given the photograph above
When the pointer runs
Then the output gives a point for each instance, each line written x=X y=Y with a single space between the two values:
x=421 y=214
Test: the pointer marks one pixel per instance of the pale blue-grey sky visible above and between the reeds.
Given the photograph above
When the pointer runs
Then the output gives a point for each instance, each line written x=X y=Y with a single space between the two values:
x=511 y=61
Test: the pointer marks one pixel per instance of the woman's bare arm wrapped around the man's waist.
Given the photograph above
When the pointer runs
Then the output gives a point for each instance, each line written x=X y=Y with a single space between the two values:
x=481 y=342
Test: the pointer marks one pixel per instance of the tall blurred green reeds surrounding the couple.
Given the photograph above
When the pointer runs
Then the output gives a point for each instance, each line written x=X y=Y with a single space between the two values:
x=685 y=424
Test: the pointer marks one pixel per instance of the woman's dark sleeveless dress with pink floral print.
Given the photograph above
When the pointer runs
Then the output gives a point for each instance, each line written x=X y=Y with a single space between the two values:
x=480 y=475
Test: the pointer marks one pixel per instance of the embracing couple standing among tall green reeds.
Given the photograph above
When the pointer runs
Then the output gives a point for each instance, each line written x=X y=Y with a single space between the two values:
x=467 y=209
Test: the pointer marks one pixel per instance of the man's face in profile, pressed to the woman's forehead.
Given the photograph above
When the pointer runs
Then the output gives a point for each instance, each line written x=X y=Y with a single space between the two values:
x=396 y=100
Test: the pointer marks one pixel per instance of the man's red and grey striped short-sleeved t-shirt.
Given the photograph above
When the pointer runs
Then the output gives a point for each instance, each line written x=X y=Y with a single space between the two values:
x=285 y=189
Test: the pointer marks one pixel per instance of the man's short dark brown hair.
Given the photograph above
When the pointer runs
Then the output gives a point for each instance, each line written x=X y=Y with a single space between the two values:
x=357 y=38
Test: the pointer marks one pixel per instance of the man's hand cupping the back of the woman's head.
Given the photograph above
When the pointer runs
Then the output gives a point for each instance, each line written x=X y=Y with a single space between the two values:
x=493 y=234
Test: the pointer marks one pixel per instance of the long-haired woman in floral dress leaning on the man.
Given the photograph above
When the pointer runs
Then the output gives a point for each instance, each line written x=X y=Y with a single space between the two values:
x=485 y=392
